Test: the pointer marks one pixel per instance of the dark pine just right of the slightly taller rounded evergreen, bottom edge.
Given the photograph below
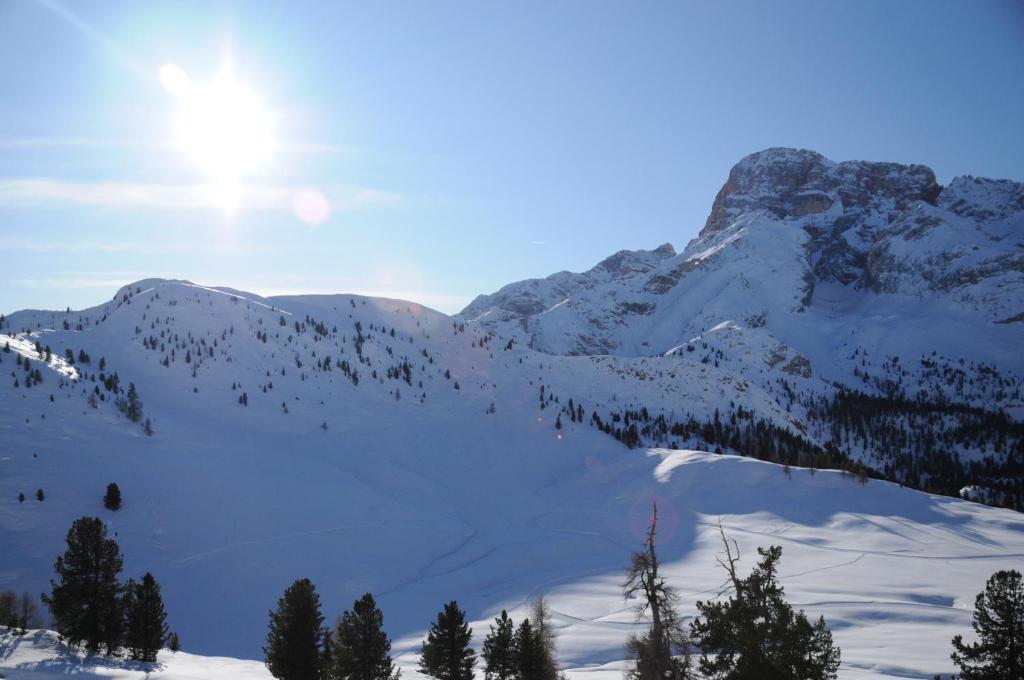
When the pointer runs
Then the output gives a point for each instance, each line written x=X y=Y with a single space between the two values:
x=360 y=650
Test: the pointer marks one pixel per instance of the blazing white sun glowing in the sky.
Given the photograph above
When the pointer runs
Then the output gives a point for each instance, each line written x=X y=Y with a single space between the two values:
x=223 y=126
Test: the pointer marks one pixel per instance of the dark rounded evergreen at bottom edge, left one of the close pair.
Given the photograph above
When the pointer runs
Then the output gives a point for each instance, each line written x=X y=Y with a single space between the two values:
x=296 y=633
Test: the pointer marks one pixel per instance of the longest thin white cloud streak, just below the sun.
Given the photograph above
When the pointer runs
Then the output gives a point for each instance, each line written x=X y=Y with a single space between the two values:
x=37 y=192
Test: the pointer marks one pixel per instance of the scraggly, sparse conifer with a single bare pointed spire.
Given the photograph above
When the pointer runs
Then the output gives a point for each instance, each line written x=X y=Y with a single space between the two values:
x=663 y=653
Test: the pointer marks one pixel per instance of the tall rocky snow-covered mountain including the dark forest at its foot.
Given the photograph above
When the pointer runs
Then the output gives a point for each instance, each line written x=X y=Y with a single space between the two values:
x=830 y=299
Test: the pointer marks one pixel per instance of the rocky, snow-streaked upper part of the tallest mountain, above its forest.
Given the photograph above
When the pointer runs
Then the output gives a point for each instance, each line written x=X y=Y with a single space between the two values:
x=793 y=239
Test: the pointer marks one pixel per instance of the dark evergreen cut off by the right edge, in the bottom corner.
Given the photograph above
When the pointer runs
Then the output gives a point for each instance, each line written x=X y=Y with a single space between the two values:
x=999 y=622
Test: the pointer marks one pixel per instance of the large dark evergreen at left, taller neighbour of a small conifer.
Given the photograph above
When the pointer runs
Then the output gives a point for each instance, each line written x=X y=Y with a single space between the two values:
x=87 y=603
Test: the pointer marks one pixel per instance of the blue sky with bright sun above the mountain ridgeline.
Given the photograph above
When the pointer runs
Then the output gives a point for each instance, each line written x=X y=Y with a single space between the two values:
x=458 y=146
